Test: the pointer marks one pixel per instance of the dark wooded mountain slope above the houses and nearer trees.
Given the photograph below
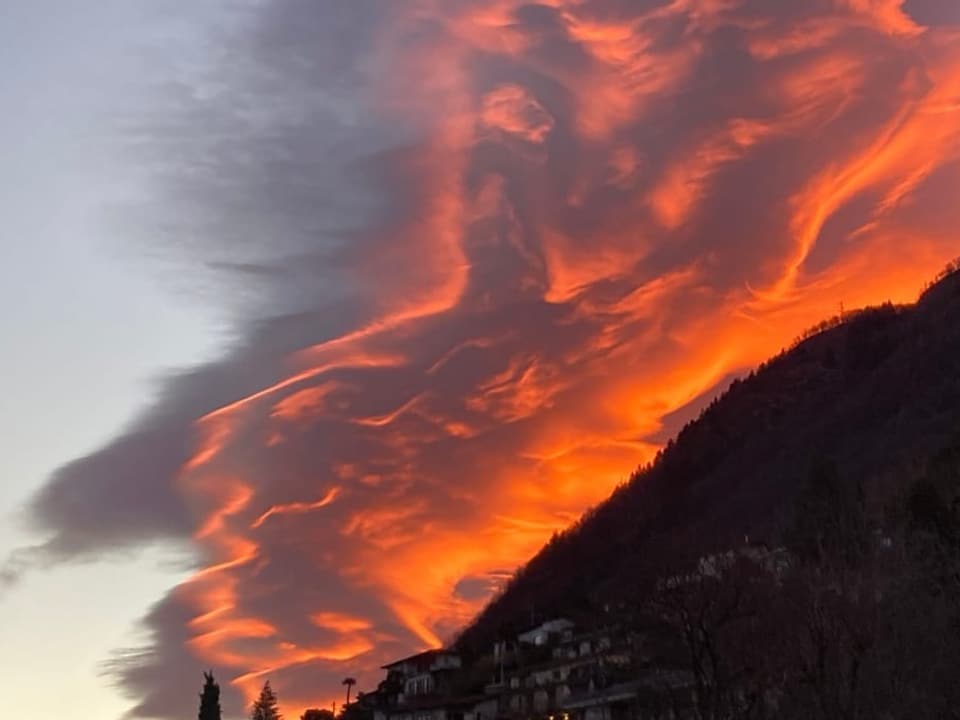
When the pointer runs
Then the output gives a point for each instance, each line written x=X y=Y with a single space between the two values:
x=877 y=395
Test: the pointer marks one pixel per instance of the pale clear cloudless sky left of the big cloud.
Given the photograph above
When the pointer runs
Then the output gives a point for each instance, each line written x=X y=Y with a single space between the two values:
x=77 y=362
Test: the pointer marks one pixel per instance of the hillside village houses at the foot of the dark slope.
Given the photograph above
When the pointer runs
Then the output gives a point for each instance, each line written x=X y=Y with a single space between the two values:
x=559 y=671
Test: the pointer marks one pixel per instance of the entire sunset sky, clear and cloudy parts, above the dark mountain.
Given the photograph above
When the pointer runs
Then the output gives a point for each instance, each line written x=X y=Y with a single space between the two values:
x=323 y=316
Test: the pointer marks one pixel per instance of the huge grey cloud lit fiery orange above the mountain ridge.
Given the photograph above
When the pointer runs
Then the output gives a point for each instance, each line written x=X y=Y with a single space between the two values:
x=504 y=249
